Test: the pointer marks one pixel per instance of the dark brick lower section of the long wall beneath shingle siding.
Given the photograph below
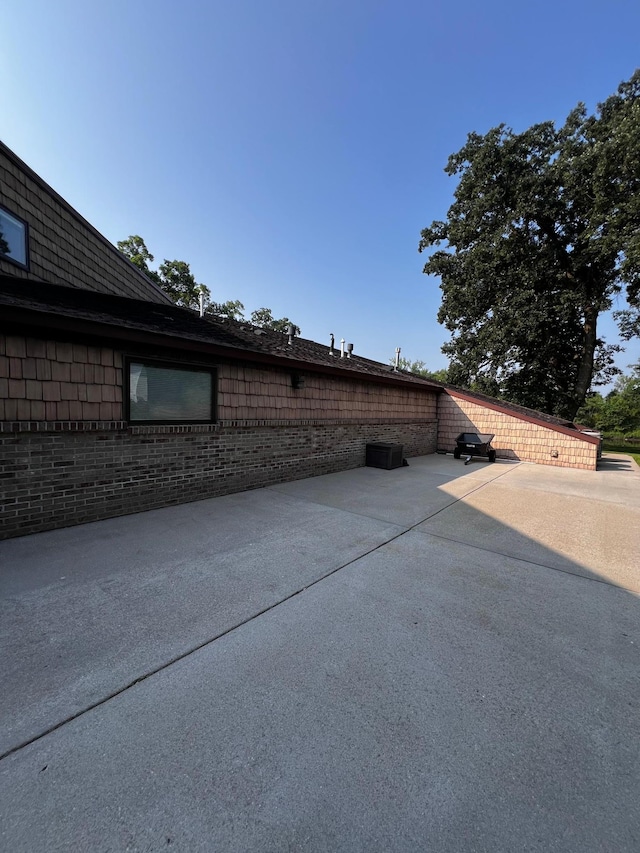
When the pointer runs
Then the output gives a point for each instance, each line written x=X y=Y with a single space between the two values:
x=53 y=480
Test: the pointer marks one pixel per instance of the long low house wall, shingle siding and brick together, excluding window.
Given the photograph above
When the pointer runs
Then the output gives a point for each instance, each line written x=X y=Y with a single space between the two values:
x=67 y=456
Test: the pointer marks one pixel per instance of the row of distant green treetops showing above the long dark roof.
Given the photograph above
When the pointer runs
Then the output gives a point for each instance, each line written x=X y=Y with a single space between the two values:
x=178 y=282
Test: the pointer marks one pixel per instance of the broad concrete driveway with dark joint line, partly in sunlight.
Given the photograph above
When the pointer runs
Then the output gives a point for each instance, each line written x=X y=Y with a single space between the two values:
x=440 y=658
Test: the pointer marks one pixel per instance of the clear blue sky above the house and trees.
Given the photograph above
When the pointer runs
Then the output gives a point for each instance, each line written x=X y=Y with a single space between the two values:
x=292 y=150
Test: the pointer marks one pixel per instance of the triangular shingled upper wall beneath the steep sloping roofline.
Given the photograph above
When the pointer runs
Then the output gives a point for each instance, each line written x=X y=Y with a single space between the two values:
x=63 y=247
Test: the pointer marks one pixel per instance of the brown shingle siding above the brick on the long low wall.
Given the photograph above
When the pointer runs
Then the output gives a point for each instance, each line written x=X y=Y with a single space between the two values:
x=48 y=380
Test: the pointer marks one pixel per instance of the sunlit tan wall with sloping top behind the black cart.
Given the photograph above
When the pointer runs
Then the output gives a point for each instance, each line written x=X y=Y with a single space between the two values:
x=514 y=437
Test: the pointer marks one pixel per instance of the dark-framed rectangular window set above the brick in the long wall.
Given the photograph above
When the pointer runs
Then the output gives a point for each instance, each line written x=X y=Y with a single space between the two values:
x=163 y=394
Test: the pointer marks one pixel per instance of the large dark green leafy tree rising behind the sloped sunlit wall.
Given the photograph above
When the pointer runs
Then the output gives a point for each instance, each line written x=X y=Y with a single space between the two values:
x=542 y=235
